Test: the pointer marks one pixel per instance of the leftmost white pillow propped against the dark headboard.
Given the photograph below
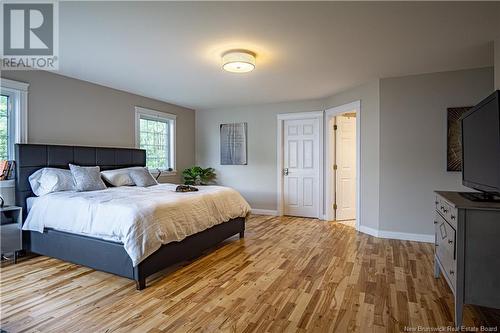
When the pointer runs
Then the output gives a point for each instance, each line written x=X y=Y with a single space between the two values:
x=48 y=180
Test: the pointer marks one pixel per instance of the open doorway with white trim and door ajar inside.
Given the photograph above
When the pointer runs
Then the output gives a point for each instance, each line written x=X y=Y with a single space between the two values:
x=342 y=164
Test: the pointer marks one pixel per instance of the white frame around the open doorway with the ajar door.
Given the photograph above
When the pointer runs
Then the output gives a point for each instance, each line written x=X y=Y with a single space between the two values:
x=330 y=184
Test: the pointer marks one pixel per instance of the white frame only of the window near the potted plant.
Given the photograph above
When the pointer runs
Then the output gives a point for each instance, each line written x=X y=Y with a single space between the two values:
x=141 y=112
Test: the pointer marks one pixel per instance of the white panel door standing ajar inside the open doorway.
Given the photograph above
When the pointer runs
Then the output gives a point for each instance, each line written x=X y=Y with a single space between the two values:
x=345 y=180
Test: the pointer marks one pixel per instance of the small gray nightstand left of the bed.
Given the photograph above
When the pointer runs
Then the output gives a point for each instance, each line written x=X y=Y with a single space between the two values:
x=11 y=218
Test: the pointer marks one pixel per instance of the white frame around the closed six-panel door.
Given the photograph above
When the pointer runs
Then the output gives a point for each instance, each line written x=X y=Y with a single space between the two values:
x=280 y=151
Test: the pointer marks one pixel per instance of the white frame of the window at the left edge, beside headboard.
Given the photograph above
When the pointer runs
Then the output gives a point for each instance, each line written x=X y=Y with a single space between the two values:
x=18 y=104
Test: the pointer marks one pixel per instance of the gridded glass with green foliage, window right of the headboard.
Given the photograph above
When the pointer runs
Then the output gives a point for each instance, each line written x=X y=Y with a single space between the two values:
x=155 y=138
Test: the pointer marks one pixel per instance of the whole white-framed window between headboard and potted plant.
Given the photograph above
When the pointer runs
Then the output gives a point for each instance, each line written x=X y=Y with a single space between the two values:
x=155 y=132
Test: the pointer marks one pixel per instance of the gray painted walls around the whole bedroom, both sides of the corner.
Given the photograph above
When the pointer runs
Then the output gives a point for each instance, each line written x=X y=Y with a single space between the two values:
x=403 y=141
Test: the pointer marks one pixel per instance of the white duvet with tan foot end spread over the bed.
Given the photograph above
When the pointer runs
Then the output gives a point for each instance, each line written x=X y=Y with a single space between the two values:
x=142 y=218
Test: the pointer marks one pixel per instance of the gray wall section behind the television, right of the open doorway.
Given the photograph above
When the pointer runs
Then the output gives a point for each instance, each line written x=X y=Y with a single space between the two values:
x=413 y=143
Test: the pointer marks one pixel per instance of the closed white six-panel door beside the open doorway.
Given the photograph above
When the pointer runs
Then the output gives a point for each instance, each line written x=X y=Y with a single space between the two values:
x=301 y=167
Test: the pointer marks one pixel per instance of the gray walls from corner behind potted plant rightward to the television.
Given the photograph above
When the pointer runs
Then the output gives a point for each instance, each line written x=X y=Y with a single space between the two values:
x=403 y=145
